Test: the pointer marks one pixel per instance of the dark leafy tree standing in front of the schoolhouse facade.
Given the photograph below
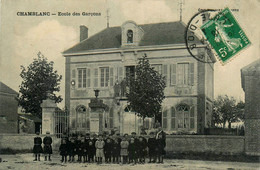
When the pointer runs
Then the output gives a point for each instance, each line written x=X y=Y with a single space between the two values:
x=146 y=91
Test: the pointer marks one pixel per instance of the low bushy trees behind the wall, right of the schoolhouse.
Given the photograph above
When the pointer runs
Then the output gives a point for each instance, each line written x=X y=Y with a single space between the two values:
x=227 y=110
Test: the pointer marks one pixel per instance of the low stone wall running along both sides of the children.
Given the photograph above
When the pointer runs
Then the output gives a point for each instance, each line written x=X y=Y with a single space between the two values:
x=230 y=145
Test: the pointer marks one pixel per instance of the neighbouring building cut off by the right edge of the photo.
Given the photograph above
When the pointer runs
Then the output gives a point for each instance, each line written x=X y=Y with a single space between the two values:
x=251 y=86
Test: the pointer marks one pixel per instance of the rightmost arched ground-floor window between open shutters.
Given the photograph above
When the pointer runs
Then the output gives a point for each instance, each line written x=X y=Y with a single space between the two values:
x=183 y=116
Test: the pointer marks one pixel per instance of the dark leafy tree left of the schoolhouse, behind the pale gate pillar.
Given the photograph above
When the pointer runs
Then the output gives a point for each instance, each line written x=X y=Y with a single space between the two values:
x=38 y=80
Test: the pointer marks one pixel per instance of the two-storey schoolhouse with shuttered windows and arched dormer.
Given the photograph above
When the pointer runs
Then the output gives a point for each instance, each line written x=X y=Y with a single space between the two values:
x=103 y=61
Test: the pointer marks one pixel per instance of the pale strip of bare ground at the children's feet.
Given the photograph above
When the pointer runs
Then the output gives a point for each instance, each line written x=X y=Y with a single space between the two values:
x=25 y=162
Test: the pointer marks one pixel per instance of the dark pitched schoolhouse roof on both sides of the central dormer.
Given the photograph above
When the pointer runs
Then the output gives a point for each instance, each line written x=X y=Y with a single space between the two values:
x=154 y=34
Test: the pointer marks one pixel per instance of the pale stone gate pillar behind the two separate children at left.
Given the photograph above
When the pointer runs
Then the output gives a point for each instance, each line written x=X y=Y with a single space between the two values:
x=48 y=110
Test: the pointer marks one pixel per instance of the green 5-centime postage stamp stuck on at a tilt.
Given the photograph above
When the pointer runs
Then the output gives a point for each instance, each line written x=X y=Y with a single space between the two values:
x=225 y=35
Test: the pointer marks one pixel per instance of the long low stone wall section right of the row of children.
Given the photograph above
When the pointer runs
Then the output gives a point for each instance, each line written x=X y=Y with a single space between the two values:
x=230 y=145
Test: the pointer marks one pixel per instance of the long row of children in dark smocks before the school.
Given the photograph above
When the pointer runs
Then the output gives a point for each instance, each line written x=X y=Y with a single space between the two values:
x=113 y=148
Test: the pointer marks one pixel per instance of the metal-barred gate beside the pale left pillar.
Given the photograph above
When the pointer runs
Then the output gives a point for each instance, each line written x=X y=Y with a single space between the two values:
x=61 y=122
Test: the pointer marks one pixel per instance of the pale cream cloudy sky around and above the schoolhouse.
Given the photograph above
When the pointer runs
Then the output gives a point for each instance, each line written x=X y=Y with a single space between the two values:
x=22 y=37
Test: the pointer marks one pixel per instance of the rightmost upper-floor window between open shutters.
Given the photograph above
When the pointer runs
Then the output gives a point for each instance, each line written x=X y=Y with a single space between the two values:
x=183 y=73
